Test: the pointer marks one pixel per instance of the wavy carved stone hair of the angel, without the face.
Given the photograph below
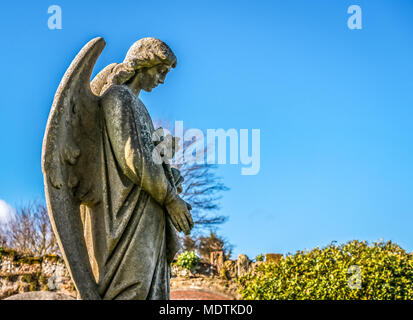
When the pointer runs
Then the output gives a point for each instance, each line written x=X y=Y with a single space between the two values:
x=144 y=53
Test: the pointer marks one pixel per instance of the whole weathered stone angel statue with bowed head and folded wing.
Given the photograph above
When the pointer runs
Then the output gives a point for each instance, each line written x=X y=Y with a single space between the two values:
x=114 y=210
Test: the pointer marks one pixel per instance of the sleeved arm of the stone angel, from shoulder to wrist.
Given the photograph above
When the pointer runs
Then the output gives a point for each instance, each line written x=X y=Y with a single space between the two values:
x=127 y=144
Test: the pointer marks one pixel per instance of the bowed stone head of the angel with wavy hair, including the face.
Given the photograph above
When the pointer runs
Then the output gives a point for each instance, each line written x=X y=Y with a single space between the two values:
x=145 y=66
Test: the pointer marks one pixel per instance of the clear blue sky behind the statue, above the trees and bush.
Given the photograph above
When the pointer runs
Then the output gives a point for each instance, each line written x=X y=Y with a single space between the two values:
x=334 y=105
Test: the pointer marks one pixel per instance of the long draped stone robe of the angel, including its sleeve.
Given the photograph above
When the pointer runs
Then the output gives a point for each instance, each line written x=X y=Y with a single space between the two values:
x=130 y=238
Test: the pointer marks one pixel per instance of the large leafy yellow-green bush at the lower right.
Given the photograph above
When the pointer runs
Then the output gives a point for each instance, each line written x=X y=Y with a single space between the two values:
x=355 y=270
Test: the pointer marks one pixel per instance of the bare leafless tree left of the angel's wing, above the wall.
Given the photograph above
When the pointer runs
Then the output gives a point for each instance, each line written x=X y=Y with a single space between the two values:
x=30 y=232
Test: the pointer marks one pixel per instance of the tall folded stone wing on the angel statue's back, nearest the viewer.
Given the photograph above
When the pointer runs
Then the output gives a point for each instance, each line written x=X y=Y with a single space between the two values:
x=70 y=158
